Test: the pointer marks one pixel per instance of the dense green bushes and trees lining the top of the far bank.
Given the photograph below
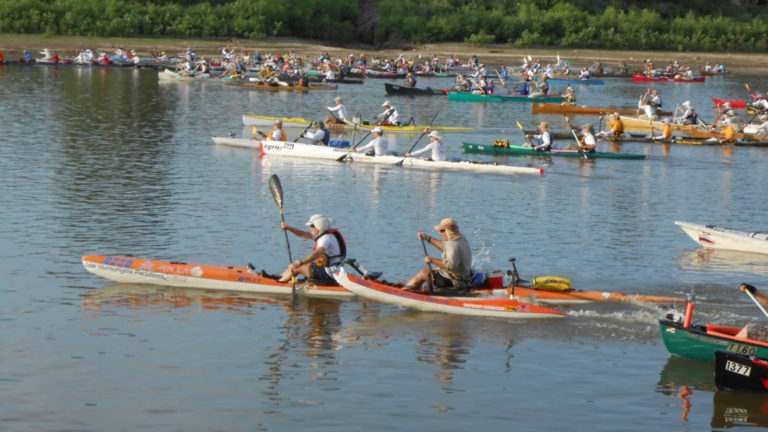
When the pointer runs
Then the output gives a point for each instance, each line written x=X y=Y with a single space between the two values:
x=611 y=24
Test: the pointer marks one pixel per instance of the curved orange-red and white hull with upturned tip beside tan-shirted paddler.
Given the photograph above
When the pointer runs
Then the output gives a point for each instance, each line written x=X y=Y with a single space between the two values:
x=482 y=306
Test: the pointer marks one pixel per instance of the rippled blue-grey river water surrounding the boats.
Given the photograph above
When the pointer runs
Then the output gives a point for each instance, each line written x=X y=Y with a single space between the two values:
x=111 y=161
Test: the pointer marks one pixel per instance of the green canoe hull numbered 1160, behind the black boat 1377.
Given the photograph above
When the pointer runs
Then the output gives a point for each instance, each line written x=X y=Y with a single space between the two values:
x=695 y=343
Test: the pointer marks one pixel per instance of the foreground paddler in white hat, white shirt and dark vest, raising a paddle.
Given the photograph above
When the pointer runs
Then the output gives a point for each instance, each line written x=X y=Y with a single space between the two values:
x=328 y=254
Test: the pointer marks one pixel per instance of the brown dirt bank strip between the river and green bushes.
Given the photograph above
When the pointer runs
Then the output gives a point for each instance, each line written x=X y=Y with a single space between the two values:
x=13 y=47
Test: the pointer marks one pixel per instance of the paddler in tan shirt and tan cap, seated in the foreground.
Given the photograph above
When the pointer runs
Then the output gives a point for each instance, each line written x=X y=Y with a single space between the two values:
x=454 y=270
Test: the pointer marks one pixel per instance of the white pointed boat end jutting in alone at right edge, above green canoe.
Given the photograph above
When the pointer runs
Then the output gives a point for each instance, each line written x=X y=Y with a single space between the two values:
x=718 y=237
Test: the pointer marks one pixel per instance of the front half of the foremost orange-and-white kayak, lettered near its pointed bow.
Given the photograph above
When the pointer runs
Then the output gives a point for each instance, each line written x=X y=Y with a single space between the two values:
x=125 y=269
